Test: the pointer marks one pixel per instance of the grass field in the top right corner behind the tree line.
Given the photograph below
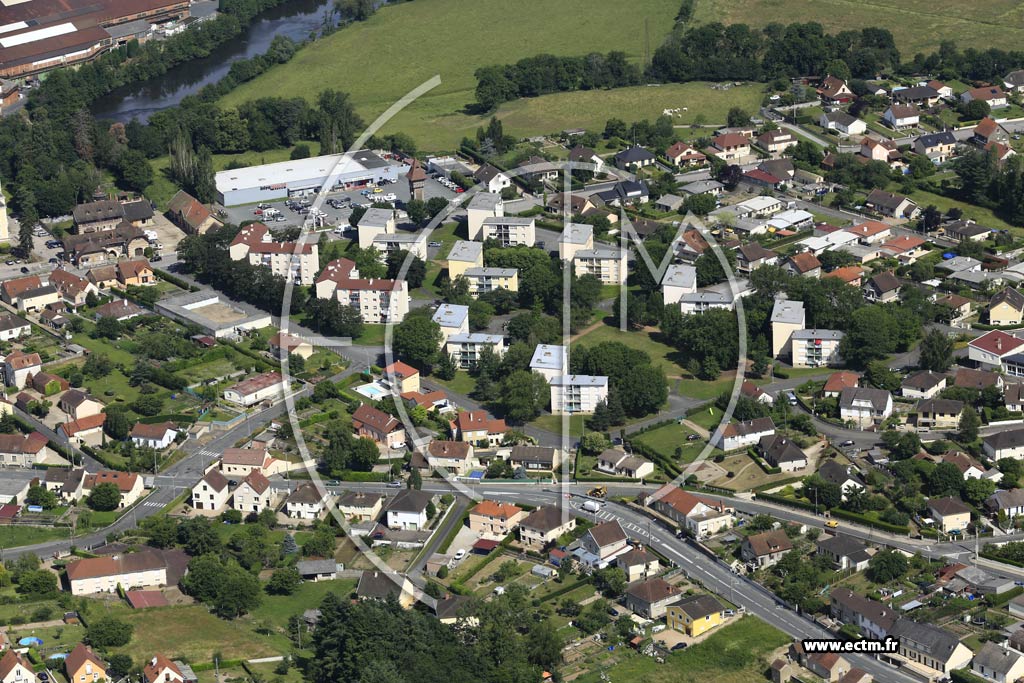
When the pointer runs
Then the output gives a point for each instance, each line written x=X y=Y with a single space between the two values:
x=919 y=26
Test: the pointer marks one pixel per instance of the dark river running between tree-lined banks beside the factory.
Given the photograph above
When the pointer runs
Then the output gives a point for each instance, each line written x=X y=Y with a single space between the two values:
x=296 y=19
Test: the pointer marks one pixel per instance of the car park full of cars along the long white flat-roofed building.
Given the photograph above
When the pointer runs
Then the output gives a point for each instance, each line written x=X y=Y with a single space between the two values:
x=288 y=217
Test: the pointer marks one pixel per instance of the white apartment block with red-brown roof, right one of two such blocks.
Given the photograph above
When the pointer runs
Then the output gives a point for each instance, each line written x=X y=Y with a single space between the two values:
x=377 y=301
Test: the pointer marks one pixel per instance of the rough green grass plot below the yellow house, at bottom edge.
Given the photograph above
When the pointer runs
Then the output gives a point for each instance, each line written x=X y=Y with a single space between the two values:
x=737 y=654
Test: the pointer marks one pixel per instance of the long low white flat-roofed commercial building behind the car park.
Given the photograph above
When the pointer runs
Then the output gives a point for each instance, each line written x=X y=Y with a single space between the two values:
x=304 y=177
